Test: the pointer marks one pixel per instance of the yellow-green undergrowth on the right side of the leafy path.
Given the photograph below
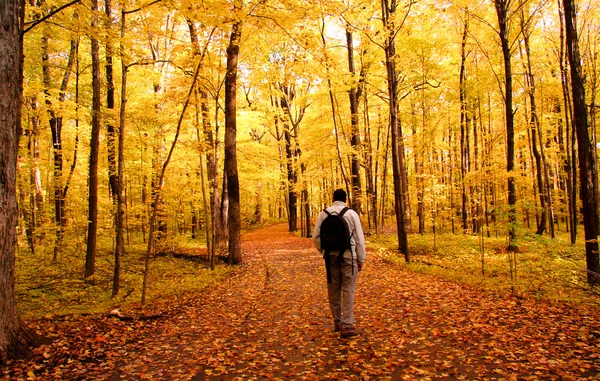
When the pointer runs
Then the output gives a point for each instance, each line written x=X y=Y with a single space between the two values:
x=544 y=268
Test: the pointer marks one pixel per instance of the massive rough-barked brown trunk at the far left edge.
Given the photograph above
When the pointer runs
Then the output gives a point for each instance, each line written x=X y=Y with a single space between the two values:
x=13 y=338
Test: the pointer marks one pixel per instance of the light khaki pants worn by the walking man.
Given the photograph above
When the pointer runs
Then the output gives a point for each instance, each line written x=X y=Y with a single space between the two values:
x=342 y=287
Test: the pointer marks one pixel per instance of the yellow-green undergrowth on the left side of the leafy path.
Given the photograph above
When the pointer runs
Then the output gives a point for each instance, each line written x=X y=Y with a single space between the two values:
x=47 y=288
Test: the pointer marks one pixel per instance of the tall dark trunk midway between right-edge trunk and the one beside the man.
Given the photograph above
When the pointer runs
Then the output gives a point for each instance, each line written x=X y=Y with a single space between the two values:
x=502 y=12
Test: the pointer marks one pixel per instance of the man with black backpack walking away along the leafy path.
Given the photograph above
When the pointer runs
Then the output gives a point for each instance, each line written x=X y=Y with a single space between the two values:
x=342 y=265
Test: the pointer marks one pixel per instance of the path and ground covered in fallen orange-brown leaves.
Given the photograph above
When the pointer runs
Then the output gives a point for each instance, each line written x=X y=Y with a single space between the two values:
x=271 y=320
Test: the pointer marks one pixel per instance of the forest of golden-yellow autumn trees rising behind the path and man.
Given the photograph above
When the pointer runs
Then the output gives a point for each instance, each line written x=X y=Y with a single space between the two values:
x=144 y=122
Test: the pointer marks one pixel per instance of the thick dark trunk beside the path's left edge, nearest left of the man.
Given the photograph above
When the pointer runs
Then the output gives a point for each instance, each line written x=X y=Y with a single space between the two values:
x=231 y=171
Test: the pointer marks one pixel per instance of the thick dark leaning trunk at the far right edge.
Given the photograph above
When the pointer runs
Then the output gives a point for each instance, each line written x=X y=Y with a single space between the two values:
x=588 y=172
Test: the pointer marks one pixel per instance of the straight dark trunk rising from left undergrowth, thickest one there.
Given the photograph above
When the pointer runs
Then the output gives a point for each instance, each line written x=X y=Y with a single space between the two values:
x=92 y=231
